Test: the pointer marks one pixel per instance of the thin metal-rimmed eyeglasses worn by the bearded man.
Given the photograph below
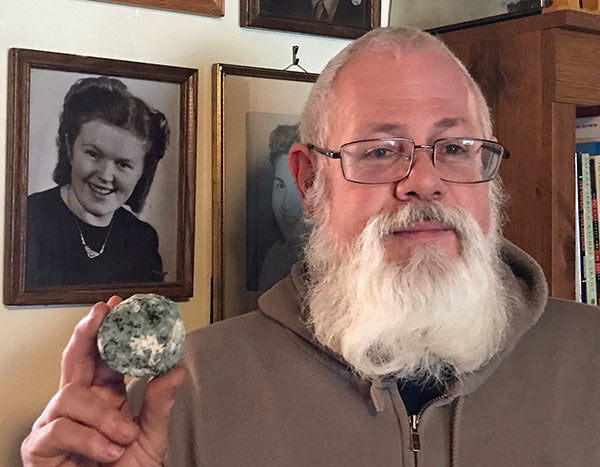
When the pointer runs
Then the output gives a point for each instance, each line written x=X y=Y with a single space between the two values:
x=457 y=160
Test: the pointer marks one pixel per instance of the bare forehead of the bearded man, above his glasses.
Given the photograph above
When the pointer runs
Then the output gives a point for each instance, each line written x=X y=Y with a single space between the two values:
x=383 y=93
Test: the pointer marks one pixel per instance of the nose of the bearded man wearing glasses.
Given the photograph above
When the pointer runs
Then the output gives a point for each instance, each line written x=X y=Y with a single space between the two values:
x=423 y=181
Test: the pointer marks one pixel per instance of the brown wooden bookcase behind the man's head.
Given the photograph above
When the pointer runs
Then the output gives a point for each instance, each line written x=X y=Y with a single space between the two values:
x=534 y=71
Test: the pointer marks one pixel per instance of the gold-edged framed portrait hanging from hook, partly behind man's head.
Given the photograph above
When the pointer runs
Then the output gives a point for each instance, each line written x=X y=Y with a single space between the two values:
x=258 y=224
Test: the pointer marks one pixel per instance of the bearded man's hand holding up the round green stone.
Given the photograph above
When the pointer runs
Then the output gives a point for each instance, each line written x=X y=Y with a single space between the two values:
x=88 y=422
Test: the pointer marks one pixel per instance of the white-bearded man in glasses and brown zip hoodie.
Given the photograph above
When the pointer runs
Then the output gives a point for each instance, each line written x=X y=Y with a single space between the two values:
x=412 y=335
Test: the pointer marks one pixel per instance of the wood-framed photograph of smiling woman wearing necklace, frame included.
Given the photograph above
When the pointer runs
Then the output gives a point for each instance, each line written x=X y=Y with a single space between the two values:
x=100 y=181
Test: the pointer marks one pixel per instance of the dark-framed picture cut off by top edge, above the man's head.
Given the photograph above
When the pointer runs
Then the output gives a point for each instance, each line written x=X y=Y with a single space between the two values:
x=338 y=18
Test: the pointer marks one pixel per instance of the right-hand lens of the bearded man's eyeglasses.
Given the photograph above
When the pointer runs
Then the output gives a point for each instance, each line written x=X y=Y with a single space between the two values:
x=467 y=160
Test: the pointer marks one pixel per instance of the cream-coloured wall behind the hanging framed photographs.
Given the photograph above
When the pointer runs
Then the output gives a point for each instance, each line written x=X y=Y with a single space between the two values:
x=32 y=338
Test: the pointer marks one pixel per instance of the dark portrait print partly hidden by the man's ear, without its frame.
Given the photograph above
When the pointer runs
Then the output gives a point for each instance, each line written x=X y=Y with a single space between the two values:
x=275 y=227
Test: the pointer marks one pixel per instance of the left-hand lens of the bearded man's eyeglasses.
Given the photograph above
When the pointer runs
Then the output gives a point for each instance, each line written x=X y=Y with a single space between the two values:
x=377 y=160
